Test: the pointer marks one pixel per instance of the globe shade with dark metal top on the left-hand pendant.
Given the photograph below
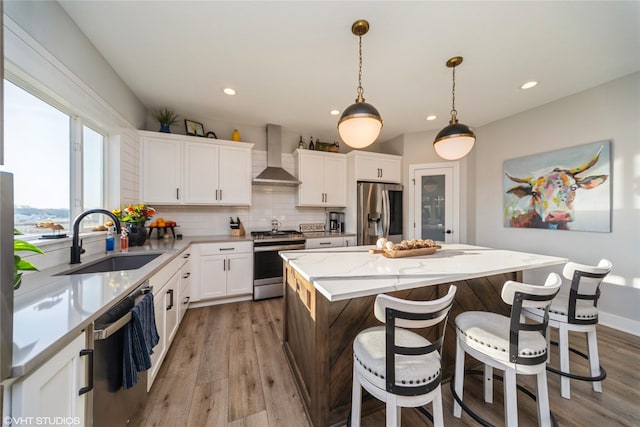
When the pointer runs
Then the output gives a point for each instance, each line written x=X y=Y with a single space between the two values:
x=360 y=125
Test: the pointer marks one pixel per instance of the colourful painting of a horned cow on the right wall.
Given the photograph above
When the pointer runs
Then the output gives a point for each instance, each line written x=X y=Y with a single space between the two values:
x=567 y=189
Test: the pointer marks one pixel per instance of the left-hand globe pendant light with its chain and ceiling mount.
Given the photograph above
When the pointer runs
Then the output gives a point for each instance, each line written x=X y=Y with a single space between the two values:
x=360 y=123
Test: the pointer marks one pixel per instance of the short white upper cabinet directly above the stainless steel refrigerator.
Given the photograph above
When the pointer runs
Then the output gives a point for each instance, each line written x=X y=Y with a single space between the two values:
x=375 y=166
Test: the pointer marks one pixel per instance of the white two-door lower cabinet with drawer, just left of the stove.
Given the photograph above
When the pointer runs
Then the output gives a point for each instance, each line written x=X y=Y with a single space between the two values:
x=224 y=269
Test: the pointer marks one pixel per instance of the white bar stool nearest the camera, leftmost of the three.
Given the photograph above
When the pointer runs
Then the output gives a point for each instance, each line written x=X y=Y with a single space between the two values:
x=398 y=366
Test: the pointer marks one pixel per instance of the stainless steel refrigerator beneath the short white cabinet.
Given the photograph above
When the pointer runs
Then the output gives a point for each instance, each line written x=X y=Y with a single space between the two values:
x=379 y=212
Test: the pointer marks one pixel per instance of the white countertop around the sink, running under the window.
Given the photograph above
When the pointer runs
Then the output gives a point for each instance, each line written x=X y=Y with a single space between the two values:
x=50 y=311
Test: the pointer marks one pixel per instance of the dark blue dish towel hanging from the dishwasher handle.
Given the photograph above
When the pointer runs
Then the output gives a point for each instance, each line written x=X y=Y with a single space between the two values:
x=140 y=336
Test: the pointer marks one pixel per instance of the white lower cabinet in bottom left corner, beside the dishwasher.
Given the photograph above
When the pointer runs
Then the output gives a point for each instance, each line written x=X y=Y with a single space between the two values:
x=52 y=392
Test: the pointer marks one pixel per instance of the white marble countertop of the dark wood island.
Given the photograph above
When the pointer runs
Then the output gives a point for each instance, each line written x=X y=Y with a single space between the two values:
x=345 y=273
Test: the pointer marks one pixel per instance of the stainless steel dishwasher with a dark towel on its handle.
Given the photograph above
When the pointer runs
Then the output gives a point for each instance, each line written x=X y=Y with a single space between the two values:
x=114 y=406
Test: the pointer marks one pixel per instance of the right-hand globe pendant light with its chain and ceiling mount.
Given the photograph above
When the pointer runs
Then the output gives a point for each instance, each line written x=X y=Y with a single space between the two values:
x=456 y=140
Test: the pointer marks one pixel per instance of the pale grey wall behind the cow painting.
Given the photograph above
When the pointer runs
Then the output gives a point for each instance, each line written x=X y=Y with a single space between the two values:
x=607 y=112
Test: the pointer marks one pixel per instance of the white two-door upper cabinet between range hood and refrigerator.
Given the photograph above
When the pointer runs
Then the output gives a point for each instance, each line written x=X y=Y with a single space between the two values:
x=324 y=178
